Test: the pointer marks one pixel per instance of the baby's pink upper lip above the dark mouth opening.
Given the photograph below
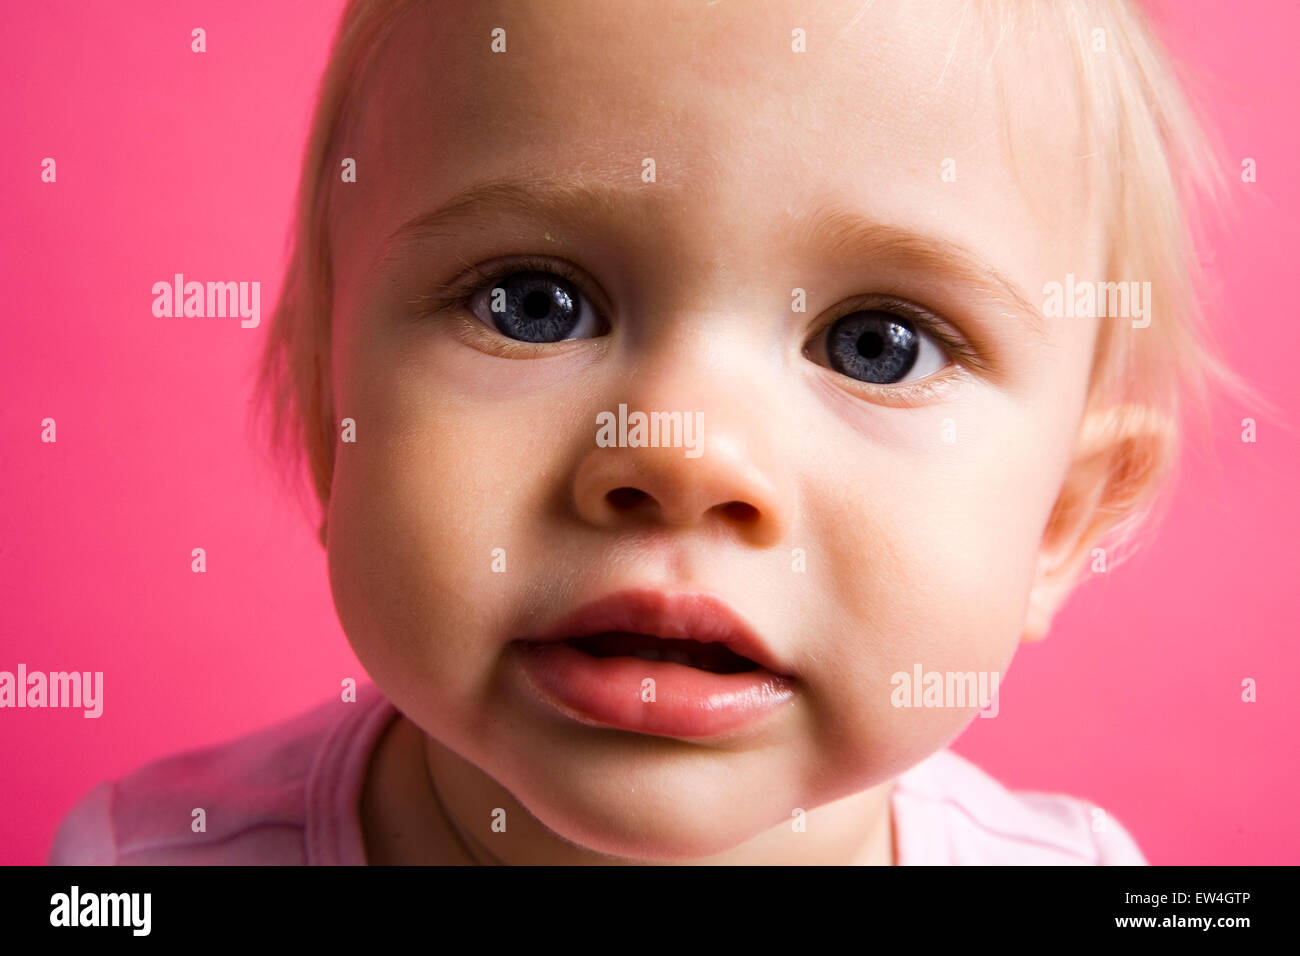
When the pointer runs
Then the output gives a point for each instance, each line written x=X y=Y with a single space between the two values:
x=686 y=616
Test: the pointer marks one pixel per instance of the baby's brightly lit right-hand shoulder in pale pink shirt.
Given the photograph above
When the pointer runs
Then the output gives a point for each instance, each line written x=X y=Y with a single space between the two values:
x=948 y=811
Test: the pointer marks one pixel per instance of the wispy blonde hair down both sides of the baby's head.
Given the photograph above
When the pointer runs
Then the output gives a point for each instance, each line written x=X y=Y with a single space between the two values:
x=1162 y=165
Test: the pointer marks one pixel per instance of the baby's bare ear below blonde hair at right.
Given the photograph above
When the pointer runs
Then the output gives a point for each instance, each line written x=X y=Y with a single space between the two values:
x=1121 y=457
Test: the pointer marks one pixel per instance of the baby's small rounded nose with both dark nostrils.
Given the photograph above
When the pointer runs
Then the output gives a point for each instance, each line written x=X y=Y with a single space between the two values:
x=734 y=482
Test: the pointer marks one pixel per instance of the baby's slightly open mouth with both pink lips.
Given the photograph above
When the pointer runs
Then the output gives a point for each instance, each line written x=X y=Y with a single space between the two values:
x=682 y=665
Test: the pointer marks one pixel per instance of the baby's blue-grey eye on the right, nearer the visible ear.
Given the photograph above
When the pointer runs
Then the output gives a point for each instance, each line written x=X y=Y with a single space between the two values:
x=881 y=348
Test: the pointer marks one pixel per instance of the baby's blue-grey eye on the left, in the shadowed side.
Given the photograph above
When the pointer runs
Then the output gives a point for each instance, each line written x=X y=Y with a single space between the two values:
x=536 y=308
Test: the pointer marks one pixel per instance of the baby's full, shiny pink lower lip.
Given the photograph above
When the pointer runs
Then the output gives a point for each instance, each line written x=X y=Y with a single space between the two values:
x=688 y=702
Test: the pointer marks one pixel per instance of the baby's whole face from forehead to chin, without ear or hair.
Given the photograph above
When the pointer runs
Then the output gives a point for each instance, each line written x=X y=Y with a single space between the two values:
x=766 y=241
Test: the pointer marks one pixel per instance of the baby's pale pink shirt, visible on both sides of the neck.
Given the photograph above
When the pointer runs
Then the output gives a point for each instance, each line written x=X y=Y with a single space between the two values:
x=289 y=795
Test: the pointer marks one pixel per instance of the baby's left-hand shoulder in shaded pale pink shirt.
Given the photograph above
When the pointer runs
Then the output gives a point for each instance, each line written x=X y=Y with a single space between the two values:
x=274 y=797
